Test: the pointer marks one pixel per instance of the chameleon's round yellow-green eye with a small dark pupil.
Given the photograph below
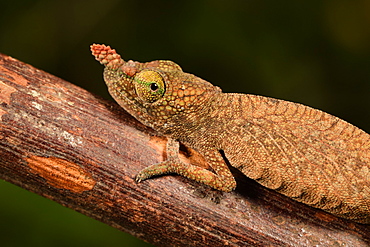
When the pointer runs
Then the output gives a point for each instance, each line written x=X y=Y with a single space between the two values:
x=149 y=85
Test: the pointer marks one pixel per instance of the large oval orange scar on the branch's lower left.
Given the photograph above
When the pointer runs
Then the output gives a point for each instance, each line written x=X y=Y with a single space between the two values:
x=61 y=173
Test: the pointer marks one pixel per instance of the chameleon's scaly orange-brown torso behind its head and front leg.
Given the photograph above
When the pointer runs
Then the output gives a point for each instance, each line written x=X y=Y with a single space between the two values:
x=301 y=152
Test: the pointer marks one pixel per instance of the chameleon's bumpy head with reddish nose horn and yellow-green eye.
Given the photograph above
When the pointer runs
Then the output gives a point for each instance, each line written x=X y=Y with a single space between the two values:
x=157 y=93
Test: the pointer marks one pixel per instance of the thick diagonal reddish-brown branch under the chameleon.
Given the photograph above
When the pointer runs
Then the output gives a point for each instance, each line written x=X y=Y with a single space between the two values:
x=63 y=143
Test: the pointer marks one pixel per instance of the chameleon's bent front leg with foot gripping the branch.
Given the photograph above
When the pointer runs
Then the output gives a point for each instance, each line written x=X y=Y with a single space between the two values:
x=222 y=179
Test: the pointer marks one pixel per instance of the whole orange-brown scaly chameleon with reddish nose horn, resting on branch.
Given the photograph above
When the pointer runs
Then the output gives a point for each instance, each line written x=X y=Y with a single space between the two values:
x=301 y=152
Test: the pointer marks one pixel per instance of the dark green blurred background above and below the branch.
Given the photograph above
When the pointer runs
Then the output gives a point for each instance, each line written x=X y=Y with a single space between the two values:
x=313 y=52
